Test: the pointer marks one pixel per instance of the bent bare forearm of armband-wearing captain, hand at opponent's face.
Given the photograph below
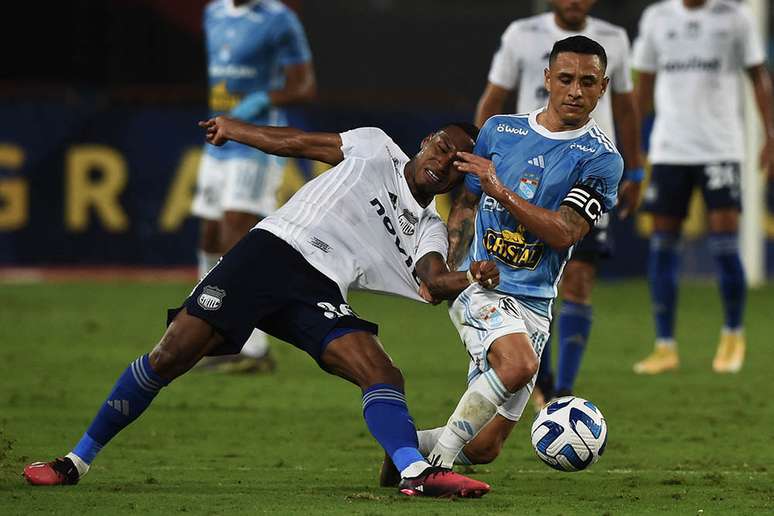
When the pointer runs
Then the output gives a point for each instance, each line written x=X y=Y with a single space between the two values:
x=559 y=229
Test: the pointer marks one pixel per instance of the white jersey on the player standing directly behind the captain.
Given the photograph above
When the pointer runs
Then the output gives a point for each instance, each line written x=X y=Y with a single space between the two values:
x=523 y=55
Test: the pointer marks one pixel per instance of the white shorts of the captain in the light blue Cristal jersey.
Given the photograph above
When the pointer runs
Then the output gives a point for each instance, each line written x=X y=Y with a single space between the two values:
x=481 y=316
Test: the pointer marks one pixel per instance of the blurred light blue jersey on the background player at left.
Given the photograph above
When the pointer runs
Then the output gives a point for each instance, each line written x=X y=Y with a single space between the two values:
x=248 y=48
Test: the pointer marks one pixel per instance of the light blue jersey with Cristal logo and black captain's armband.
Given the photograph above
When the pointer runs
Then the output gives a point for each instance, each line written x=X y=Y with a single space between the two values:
x=579 y=168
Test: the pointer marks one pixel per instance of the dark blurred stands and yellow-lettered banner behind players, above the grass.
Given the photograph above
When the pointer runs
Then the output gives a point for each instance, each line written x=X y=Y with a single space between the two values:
x=99 y=151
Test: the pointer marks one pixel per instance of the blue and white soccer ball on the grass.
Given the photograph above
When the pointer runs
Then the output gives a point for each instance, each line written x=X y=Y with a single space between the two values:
x=569 y=434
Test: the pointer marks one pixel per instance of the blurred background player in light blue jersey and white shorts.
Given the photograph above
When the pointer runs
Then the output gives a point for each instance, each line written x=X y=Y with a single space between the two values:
x=258 y=61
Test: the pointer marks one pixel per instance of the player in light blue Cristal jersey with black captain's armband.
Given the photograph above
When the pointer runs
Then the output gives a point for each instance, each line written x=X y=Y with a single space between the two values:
x=537 y=183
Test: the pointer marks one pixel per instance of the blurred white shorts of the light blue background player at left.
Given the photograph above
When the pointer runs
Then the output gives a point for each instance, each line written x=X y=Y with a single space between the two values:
x=245 y=185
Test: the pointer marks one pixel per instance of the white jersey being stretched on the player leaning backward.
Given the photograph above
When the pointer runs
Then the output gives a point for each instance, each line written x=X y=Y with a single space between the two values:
x=358 y=223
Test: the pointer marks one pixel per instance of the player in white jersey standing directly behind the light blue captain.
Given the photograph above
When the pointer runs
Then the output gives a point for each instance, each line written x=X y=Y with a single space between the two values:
x=518 y=66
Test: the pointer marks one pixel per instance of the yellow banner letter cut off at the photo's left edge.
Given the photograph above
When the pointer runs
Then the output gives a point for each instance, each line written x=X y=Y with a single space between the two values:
x=14 y=193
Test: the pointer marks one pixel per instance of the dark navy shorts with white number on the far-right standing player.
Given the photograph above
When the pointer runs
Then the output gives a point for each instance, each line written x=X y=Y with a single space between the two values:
x=671 y=187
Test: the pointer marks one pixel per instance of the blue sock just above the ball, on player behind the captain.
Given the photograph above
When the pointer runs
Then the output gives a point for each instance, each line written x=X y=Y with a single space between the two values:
x=574 y=330
